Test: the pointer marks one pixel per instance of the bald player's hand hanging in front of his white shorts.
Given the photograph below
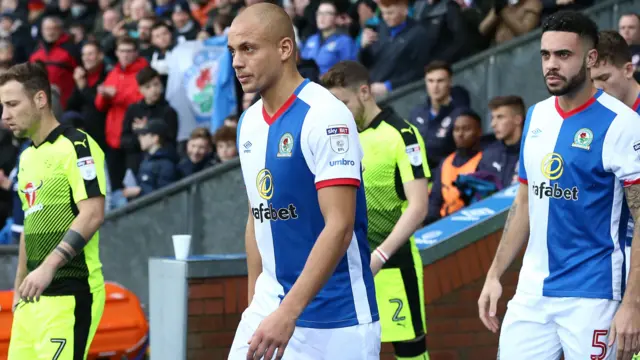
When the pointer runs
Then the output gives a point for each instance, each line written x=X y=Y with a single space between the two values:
x=274 y=332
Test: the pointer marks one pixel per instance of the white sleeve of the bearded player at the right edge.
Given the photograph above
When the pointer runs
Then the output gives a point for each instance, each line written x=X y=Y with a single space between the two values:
x=621 y=148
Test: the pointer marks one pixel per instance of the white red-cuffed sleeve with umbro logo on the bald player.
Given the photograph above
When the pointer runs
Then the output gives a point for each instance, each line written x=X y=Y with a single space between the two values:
x=331 y=146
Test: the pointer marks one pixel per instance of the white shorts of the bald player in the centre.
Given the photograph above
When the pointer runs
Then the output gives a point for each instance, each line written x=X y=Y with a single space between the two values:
x=360 y=342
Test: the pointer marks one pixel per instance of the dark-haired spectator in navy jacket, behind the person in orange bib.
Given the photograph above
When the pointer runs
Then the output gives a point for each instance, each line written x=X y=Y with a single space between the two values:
x=434 y=118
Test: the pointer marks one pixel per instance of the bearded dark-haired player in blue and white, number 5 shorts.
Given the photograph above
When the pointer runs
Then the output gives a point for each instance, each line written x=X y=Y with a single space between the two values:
x=578 y=162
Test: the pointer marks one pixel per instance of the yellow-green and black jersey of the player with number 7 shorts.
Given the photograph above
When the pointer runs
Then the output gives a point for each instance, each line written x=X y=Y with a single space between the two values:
x=66 y=168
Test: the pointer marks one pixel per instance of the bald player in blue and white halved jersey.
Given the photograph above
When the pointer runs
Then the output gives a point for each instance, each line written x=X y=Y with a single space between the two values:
x=311 y=290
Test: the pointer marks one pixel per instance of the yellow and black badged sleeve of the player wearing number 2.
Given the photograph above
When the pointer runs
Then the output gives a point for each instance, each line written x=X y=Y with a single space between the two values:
x=411 y=155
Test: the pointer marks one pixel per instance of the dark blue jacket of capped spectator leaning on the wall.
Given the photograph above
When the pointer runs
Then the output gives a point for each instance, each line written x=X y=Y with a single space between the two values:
x=158 y=170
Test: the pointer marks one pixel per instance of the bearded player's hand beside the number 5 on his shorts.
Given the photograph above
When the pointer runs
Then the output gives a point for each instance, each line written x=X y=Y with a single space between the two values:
x=625 y=328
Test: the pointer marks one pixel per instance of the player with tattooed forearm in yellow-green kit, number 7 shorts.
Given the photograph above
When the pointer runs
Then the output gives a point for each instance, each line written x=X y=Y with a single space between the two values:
x=59 y=287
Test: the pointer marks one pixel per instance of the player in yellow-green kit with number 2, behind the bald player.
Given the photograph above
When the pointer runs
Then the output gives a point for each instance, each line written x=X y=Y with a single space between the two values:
x=396 y=187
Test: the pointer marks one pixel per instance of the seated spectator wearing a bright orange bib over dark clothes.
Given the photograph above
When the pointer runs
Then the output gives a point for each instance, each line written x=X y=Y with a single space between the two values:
x=445 y=198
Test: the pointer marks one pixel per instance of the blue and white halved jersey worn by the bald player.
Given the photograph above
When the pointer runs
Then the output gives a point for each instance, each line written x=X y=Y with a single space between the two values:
x=310 y=143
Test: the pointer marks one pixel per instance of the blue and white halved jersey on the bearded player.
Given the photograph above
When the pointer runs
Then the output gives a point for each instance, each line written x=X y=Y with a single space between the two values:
x=576 y=165
